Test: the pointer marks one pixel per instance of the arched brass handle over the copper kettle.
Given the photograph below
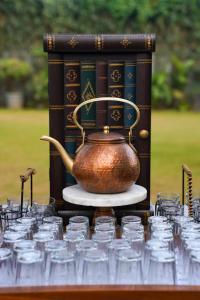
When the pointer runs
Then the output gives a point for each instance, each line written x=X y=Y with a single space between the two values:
x=106 y=99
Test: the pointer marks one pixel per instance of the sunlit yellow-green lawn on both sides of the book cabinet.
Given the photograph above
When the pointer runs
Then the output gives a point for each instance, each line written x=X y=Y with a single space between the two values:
x=175 y=140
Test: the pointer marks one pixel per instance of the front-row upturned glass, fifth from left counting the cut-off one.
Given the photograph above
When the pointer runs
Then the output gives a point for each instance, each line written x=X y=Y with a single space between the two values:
x=128 y=267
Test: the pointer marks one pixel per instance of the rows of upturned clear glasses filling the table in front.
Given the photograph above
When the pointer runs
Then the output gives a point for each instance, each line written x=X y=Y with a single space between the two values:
x=76 y=257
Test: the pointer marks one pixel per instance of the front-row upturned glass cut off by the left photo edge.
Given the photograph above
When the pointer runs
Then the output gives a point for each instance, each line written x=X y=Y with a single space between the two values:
x=6 y=272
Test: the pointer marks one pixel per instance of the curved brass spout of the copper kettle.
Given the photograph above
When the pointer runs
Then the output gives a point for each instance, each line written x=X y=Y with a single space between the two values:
x=67 y=160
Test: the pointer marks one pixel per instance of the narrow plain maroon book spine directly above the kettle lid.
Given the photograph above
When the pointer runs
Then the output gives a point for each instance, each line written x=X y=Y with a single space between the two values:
x=101 y=91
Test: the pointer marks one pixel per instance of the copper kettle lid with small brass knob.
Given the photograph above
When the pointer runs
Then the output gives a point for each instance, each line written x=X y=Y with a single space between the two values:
x=106 y=137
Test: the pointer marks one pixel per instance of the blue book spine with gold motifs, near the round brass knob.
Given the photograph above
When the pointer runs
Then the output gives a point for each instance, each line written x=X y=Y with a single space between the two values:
x=129 y=92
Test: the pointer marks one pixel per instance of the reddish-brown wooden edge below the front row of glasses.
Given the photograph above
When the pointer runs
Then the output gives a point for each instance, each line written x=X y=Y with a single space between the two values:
x=142 y=292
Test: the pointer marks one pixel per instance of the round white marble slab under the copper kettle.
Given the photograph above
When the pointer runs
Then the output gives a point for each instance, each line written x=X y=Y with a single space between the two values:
x=76 y=195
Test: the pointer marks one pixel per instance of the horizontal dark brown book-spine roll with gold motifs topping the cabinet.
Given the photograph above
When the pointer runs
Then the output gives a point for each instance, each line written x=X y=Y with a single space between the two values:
x=99 y=43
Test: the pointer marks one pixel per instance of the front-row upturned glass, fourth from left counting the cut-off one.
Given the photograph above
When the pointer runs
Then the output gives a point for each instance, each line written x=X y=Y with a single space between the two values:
x=95 y=267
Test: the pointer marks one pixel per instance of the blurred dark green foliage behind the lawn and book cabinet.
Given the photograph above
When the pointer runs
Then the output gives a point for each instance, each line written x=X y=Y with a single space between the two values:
x=176 y=71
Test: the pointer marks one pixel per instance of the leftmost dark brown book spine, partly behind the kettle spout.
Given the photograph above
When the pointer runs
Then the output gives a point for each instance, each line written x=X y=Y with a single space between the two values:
x=56 y=128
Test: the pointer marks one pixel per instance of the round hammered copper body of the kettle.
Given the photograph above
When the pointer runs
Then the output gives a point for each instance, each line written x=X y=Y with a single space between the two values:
x=106 y=164
